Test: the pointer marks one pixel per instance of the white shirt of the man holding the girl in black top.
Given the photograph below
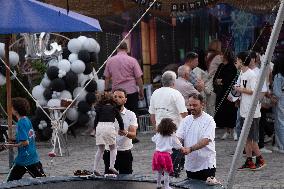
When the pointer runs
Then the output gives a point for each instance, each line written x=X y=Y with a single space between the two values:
x=129 y=119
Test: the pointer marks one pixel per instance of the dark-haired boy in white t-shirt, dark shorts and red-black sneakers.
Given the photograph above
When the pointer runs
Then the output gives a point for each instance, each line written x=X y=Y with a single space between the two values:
x=246 y=87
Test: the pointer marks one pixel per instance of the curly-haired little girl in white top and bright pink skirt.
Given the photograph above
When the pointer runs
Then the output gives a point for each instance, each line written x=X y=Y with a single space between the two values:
x=165 y=140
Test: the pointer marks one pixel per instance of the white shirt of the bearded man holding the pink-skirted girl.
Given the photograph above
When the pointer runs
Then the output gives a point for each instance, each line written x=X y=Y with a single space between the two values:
x=192 y=131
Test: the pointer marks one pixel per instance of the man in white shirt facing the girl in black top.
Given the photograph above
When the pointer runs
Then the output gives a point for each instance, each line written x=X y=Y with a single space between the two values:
x=124 y=144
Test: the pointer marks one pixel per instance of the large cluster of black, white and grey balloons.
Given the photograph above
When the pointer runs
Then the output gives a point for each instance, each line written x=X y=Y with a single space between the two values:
x=65 y=78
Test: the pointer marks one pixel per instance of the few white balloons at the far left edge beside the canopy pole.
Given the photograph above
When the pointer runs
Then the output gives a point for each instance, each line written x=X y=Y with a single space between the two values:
x=13 y=59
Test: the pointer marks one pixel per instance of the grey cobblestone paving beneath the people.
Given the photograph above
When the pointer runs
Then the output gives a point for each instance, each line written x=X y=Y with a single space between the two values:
x=82 y=150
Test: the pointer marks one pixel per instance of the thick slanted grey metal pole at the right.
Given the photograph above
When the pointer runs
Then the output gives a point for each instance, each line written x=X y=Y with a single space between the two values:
x=247 y=124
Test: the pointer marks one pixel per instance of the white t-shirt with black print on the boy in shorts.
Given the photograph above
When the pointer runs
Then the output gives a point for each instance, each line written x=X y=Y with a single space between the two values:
x=248 y=80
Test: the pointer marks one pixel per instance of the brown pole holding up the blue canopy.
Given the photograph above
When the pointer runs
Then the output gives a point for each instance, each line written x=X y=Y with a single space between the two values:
x=9 y=100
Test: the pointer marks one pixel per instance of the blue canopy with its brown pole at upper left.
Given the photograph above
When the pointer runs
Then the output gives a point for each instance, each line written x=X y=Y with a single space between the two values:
x=31 y=16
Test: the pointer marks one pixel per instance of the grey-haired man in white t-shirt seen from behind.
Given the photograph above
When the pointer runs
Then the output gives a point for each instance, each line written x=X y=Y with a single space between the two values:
x=167 y=102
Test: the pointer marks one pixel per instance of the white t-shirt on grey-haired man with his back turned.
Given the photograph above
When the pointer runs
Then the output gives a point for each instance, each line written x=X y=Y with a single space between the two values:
x=167 y=102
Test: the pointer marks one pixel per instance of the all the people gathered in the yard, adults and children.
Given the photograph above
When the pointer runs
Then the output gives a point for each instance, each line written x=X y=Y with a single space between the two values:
x=184 y=112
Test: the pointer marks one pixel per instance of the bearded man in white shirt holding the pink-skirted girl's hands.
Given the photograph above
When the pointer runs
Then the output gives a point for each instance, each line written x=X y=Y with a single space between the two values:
x=197 y=131
